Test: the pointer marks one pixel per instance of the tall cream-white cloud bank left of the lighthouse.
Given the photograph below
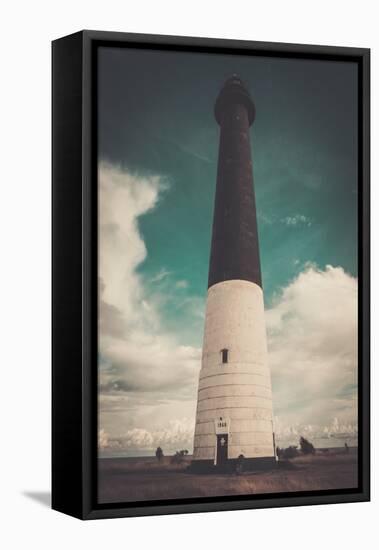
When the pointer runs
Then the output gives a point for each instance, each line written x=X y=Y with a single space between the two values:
x=146 y=377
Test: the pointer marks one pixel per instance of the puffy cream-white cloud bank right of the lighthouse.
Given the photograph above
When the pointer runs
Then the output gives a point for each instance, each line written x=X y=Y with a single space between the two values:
x=312 y=343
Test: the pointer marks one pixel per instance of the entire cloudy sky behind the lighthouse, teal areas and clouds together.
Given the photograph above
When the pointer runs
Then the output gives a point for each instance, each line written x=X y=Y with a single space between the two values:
x=158 y=147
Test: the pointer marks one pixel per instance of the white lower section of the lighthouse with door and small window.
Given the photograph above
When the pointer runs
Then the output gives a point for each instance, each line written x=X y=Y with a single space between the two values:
x=234 y=397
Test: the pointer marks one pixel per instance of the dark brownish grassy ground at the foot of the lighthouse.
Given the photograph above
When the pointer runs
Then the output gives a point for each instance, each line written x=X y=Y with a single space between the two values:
x=124 y=480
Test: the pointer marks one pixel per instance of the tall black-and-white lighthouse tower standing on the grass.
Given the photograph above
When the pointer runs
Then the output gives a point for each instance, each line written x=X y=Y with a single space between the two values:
x=234 y=414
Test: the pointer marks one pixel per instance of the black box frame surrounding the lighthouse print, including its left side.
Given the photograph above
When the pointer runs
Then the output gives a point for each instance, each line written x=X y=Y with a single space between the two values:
x=74 y=274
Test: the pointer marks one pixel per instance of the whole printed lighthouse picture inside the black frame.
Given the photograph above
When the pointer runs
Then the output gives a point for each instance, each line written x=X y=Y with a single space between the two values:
x=227 y=260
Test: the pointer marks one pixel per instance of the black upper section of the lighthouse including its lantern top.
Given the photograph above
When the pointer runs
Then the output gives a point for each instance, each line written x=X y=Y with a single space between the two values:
x=235 y=247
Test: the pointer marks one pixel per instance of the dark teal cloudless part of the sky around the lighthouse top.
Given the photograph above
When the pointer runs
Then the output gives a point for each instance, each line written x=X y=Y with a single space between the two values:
x=156 y=118
